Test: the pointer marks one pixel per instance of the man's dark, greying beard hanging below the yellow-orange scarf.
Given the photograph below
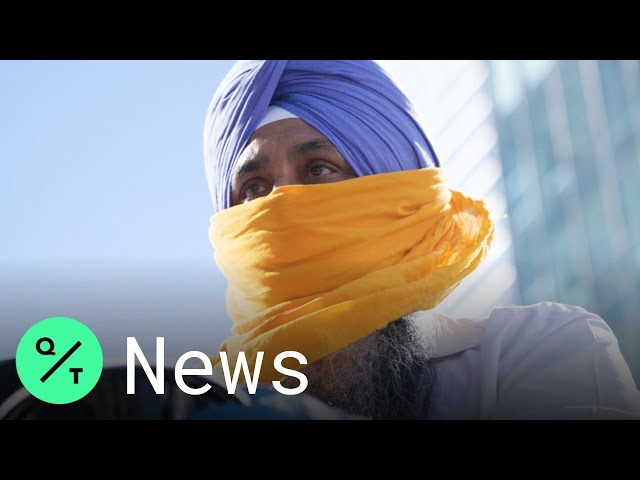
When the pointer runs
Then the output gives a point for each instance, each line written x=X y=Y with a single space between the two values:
x=386 y=375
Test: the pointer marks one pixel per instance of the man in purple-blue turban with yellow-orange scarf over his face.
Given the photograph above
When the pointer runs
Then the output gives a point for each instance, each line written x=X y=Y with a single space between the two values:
x=338 y=235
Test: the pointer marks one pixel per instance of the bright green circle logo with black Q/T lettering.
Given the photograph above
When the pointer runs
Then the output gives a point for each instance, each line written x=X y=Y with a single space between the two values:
x=59 y=360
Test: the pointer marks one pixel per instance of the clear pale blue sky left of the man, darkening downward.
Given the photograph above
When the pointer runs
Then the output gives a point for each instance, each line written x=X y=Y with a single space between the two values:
x=103 y=201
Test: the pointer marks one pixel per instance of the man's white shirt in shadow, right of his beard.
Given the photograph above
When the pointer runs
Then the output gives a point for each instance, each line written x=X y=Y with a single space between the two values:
x=541 y=361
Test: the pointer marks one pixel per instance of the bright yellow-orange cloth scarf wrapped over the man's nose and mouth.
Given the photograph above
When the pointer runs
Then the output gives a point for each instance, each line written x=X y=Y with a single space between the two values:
x=313 y=268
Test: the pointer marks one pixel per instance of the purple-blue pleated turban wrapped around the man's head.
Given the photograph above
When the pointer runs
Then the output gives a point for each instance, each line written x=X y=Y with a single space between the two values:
x=354 y=103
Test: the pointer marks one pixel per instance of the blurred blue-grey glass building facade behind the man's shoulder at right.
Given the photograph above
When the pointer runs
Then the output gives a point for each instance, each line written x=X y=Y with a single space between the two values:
x=569 y=142
